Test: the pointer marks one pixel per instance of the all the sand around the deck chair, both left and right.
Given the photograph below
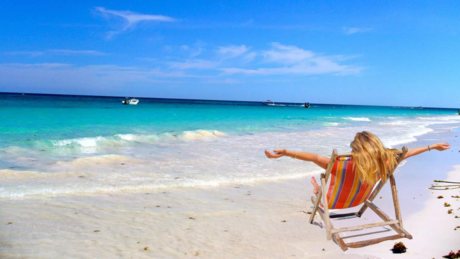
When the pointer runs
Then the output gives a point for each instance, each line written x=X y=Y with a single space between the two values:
x=251 y=220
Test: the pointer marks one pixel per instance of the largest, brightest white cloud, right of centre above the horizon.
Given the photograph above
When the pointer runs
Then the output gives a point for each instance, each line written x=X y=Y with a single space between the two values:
x=278 y=60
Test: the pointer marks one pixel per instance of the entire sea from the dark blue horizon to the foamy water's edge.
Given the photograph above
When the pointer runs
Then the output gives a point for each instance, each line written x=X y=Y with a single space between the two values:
x=56 y=145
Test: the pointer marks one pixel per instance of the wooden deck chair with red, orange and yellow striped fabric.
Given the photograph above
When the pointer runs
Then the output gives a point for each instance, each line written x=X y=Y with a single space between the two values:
x=347 y=191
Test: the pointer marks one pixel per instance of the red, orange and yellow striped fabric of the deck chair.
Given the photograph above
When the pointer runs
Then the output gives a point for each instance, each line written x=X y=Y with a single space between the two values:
x=346 y=189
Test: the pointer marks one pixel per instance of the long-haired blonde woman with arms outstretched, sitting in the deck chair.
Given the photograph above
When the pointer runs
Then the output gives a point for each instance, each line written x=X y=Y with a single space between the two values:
x=369 y=156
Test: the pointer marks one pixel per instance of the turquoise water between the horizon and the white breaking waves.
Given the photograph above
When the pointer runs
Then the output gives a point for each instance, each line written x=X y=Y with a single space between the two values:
x=30 y=118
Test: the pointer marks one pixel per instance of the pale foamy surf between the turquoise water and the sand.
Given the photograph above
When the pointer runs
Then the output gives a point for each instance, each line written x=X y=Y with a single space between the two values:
x=131 y=162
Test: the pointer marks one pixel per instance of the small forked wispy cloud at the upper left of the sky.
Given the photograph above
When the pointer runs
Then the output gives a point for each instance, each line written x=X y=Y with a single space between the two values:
x=131 y=19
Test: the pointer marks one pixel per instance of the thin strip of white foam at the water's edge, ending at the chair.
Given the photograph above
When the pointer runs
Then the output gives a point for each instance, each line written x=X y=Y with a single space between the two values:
x=19 y=185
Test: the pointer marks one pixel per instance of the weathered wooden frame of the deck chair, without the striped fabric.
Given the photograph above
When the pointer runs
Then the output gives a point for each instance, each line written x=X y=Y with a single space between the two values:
x=333 y=233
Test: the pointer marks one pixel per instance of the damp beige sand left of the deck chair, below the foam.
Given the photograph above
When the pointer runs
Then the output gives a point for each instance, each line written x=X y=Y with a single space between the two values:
x=229 y=222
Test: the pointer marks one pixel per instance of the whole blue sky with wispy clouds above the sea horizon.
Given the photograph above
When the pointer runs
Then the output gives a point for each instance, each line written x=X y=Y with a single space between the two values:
x=350 y=52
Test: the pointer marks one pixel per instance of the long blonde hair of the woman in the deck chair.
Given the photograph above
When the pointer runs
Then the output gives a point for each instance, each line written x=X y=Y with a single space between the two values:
x=371 y=159
